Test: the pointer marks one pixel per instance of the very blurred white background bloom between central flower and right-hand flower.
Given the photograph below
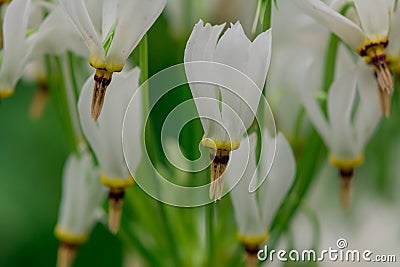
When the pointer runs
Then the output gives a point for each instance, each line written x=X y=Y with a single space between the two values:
x=295 y=39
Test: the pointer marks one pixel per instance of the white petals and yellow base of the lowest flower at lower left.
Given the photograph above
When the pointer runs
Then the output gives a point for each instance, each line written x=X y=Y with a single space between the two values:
x=82 y=196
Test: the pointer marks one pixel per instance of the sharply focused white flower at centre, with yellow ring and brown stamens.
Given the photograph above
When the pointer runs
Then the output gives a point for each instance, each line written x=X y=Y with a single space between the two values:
x=225 y=123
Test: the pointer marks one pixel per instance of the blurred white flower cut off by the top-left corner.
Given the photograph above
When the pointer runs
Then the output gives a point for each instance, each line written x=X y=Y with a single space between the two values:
x=24 y=44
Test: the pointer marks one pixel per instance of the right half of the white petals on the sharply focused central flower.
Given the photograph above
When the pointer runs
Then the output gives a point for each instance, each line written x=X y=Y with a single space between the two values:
x=239 y=92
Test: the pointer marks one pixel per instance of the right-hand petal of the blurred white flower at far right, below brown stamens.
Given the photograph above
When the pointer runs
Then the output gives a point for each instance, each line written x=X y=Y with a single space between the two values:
x=368 y=113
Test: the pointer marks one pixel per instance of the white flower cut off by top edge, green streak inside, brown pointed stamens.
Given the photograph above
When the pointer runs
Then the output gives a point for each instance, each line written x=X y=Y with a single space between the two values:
x=112 y=36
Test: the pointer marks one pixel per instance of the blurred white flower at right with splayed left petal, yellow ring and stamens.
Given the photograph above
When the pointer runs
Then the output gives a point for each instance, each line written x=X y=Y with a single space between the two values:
x=351 y=120
